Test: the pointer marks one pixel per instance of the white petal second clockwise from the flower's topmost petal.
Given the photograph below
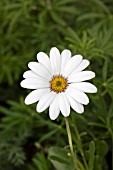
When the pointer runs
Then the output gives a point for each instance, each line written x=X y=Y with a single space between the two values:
x=72 y=64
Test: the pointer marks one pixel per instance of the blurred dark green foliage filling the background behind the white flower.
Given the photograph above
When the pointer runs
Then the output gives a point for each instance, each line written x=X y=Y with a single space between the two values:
x=30 y=26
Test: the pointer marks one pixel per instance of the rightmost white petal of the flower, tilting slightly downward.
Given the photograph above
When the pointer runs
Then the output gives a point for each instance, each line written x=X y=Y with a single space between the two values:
x=85 y=87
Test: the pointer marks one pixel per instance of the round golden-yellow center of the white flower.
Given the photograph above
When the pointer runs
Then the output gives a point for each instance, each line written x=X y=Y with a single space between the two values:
x=58 y=84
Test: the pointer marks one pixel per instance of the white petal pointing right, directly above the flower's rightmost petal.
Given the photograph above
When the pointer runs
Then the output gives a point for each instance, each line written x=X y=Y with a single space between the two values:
x=81 y=76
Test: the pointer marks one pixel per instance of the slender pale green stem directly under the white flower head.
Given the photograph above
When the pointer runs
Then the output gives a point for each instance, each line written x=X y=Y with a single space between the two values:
x=73 y=154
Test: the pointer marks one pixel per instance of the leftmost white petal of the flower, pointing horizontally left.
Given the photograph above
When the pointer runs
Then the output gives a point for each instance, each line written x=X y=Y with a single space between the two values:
x=34 y=83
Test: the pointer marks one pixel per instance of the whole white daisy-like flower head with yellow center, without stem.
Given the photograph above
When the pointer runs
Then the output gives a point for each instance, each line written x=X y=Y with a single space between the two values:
x=58 y=82
